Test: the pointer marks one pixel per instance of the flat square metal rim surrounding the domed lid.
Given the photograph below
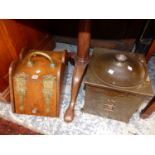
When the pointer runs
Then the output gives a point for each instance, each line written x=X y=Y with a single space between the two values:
x=144 y=88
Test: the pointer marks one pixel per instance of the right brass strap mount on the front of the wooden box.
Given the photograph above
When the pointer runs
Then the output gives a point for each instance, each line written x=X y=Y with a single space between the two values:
x=47 y=90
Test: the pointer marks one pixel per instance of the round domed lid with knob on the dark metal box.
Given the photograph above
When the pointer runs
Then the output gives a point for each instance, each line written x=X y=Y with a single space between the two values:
x=119 y=69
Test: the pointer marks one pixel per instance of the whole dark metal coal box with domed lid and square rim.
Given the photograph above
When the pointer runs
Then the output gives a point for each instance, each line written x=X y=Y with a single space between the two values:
x=116 y=84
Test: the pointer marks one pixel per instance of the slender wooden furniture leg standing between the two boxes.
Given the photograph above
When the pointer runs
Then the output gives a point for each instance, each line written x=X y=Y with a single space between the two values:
x=80 y=66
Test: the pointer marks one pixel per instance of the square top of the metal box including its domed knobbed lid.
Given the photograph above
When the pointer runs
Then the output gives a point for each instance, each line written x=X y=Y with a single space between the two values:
x=119 y=70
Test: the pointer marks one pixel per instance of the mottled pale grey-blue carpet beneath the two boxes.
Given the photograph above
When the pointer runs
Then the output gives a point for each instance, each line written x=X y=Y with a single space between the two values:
x=83 y=123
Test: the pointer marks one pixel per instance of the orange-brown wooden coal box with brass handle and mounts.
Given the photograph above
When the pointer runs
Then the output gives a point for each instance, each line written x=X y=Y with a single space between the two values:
x=35 y=82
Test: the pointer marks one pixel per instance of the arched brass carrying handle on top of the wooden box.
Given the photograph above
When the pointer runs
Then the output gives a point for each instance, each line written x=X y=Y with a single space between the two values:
x=30 y=63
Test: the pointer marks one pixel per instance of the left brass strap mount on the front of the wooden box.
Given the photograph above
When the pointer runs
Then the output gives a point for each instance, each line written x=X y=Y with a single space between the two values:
x=20 y=87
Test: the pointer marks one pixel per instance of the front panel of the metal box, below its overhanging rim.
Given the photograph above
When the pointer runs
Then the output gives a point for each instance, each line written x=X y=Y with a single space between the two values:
x=111 y=104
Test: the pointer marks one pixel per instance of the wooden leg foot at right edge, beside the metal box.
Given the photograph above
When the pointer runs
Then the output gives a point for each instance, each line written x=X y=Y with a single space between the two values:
x=148 y=110
